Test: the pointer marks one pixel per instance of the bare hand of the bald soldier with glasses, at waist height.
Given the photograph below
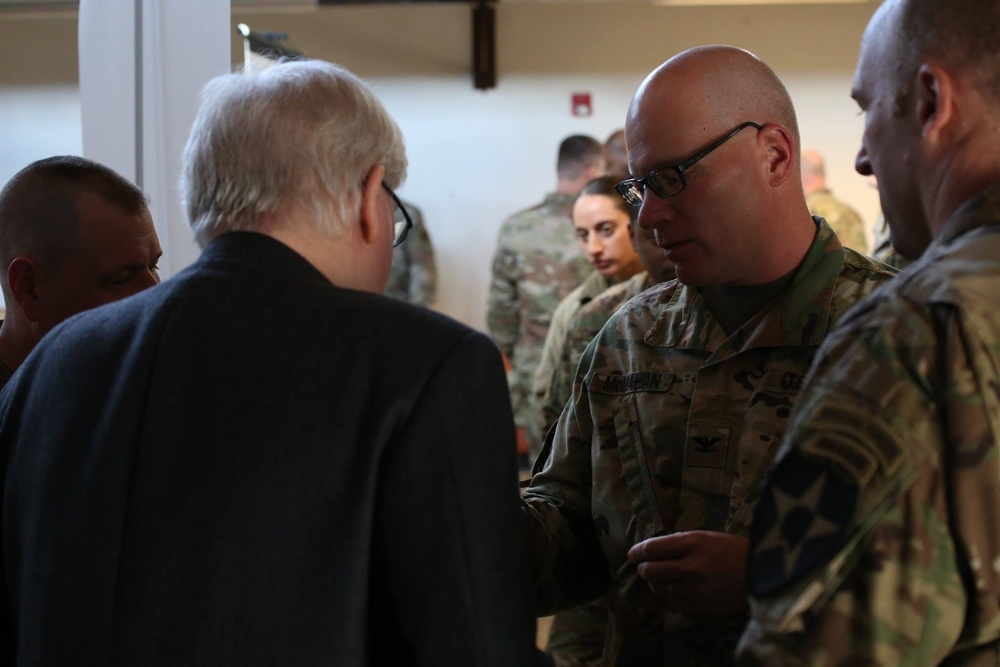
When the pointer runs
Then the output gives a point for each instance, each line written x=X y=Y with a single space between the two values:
x=699 y=572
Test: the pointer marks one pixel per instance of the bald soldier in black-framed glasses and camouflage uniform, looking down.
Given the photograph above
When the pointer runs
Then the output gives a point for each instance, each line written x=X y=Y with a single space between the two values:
x=678 y=405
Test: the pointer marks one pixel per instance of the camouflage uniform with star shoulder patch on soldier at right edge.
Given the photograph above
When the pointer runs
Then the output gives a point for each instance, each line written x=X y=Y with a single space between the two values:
x=877 y=540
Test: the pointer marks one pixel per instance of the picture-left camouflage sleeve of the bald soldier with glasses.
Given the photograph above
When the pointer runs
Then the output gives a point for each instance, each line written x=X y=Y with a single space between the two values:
x=569 y=566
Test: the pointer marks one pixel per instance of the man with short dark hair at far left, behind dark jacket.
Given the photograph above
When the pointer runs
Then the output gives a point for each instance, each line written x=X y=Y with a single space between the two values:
x=74 y=235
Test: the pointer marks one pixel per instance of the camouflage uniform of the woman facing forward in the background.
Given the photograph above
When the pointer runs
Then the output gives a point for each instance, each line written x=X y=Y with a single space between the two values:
x=555 y=343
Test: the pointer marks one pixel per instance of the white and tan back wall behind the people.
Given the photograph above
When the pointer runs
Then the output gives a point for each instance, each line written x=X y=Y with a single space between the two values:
x=477 y=156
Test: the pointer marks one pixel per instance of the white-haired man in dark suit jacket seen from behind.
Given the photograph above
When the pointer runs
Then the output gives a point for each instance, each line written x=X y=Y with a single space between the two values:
x=242 y=466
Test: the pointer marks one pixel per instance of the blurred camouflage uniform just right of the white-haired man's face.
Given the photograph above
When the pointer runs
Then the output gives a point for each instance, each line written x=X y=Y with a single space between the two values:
x=413 y=275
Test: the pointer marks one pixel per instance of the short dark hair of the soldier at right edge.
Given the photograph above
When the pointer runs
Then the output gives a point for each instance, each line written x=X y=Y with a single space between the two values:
x=960 y=33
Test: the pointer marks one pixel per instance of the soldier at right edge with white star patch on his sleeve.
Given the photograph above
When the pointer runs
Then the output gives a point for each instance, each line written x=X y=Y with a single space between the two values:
x=877 y=541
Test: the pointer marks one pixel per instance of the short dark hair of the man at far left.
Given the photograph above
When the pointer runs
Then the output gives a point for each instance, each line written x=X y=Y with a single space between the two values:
x=38 y=206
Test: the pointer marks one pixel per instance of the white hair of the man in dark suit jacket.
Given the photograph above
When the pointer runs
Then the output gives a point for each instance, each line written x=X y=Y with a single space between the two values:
x=302 y=133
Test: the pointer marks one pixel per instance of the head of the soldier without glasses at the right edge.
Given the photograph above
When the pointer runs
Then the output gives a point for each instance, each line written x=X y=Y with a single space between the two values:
x=928 y=80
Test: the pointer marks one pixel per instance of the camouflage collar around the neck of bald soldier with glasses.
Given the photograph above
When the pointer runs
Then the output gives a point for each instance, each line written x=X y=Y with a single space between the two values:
x=799 y=316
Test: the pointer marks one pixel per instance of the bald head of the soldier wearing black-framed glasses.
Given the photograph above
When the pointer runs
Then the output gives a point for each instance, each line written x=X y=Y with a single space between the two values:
x=721 y=117
